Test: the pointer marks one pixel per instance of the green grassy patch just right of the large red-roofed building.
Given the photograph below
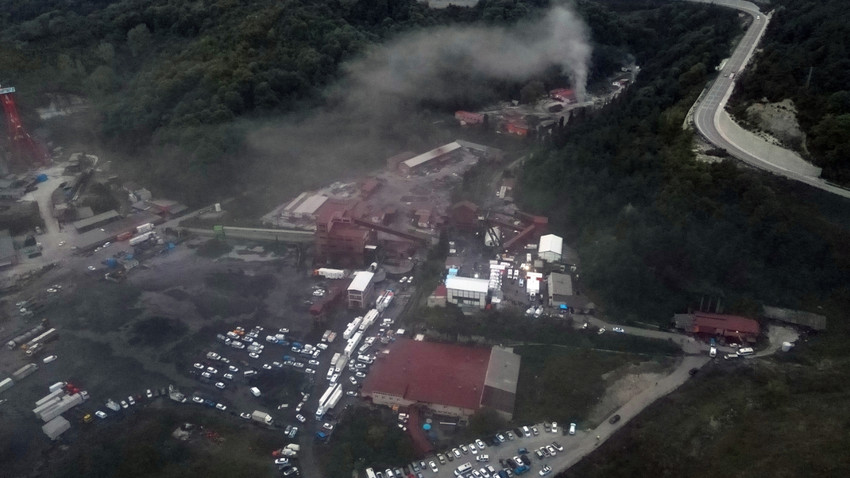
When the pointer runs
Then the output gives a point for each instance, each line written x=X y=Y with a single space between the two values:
x=562 y=384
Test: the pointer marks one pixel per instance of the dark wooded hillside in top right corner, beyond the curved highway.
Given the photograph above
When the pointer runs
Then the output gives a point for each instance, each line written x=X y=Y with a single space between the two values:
x=805 y=56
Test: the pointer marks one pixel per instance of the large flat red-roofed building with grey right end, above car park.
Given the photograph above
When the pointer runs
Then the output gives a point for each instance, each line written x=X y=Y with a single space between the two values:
x=449 y=379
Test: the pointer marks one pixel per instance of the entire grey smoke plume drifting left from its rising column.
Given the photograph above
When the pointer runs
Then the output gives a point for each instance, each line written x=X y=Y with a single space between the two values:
x=391 y=82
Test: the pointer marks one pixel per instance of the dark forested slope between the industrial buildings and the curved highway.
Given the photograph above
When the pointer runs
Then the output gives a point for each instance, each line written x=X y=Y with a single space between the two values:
x=657 y=230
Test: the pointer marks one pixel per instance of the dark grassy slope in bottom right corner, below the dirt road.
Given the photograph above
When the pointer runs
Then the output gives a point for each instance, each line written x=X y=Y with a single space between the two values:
x=756 y=419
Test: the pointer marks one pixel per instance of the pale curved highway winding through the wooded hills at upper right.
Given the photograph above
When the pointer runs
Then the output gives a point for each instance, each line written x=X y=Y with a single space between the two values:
x=709 y=108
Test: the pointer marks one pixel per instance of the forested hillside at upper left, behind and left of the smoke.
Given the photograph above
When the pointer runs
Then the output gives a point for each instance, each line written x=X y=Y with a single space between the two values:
x=176 y=86
